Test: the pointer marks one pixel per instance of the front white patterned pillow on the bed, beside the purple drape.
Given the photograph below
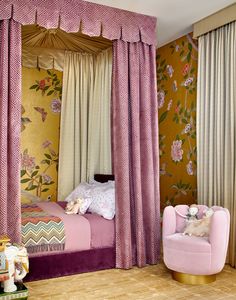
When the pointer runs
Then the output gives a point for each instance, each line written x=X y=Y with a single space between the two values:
x=103 y=202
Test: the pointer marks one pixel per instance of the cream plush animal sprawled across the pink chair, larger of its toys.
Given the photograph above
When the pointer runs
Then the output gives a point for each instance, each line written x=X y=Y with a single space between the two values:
x=200 y=227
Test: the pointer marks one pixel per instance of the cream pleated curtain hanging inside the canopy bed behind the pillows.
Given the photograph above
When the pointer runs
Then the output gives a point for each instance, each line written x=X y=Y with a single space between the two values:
x=85 y=139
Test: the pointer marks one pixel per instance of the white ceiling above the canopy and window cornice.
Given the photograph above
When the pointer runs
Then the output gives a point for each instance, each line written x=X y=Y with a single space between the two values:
x=174 y=17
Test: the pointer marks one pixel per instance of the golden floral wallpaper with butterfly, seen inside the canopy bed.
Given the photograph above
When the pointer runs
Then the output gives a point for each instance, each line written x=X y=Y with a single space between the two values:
x=40 y=121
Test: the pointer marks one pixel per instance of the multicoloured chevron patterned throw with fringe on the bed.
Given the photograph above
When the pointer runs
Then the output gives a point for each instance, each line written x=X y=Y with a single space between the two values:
x=40 y=230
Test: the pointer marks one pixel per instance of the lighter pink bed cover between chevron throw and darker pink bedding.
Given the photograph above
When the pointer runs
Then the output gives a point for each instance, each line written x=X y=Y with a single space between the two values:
x=77 y=228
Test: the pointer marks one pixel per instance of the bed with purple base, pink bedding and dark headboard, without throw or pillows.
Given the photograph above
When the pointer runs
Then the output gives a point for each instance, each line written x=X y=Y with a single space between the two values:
x=81 y=254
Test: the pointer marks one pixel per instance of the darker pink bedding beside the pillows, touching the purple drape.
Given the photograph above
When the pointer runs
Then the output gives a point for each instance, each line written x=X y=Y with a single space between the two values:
x=102 y=231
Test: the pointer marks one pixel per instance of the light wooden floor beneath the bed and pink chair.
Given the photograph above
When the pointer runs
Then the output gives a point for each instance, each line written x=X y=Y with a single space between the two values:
x=152 y=282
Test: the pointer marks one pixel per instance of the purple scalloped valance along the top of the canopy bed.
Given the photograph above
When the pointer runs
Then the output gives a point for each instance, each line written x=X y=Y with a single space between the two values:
x=77 y=15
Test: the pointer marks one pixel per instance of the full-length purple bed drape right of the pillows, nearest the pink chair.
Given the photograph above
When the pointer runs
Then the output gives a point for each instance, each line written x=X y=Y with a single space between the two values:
x=135 y=150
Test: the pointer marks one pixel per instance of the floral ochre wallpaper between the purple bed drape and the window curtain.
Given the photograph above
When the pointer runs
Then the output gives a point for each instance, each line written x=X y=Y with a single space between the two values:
x=176 y=82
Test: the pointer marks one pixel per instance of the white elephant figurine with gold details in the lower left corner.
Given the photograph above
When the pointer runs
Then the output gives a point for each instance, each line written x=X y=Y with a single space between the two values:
x=14 y=264
